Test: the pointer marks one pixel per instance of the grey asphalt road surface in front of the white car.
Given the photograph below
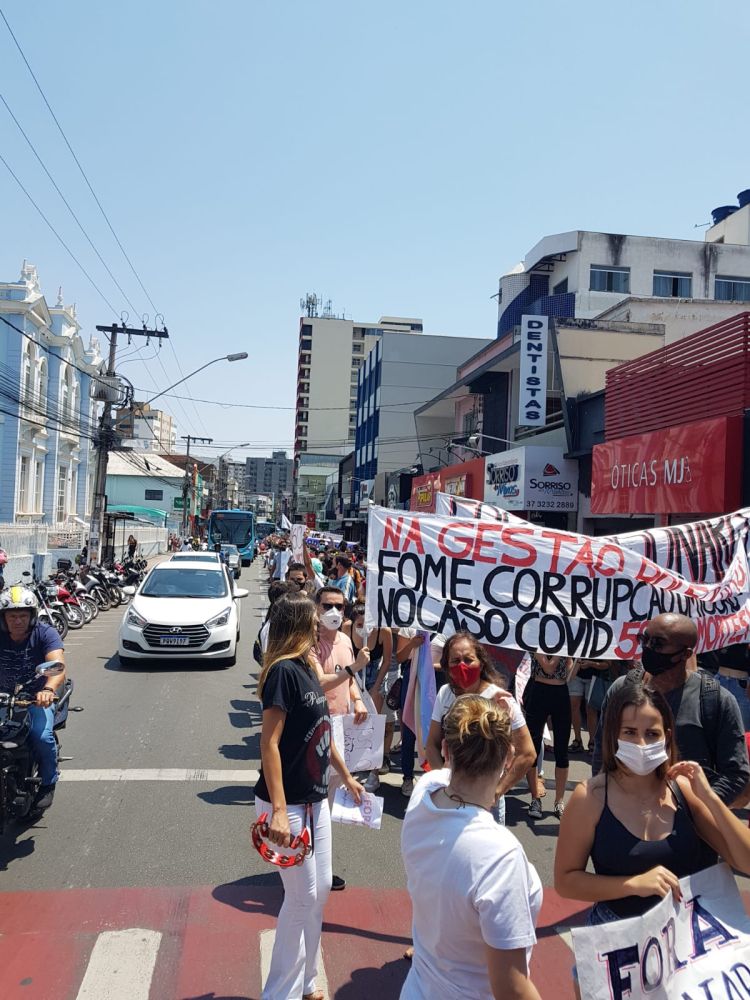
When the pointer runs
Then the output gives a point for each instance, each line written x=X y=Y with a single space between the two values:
x=110 y=830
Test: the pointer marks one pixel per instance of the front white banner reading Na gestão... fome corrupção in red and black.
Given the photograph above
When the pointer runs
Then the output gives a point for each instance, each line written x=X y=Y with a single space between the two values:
x=529 y=587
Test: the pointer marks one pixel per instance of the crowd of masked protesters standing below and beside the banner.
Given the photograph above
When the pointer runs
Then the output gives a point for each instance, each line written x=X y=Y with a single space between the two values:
x=665 y=738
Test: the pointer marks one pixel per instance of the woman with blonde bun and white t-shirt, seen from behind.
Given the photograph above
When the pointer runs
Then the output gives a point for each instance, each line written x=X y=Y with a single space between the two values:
x=475 y=897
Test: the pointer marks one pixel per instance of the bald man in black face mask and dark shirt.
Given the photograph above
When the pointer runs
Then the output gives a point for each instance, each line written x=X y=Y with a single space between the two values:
x=708 y=726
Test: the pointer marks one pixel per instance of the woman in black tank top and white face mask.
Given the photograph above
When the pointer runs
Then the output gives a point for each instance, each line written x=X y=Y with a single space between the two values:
x=645 y=821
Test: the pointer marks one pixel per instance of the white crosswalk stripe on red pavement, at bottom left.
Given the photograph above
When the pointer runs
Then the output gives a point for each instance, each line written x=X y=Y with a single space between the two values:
x=121 y=966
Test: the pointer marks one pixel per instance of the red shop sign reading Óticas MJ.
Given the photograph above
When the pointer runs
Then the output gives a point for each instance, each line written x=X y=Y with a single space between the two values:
x=691 y=469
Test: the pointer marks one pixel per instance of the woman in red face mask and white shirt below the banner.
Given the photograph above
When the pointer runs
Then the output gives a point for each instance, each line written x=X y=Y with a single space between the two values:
x=470 y=671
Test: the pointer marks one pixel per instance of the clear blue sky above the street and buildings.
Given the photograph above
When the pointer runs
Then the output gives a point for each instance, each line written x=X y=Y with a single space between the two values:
x=393 y=157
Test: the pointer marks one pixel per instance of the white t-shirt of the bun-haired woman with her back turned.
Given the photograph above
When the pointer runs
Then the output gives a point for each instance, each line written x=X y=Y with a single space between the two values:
x=470 y=884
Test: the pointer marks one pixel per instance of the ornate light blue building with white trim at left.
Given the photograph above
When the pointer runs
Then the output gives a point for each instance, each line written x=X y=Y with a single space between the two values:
x=47 y=413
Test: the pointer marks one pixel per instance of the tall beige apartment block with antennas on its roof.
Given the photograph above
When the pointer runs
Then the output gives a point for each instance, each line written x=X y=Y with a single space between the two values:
x=331 y=352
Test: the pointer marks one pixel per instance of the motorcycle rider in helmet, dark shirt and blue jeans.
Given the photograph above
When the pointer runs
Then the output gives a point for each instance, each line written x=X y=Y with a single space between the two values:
x=24 y=643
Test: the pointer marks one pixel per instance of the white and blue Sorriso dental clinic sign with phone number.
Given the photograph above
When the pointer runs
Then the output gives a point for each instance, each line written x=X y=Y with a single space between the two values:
x=531 y=478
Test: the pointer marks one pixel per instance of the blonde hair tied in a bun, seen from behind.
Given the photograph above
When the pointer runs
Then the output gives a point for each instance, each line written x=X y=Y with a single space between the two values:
x=478 y=735
